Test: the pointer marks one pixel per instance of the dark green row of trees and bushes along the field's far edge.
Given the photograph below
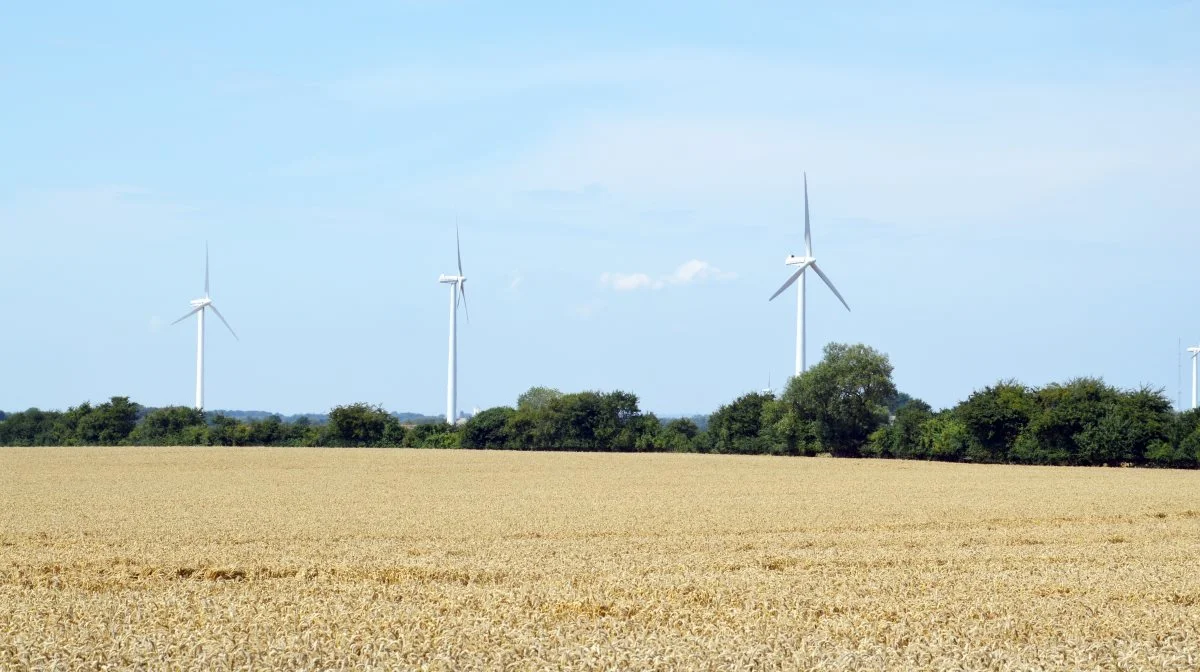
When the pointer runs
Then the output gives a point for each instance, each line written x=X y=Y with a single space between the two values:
x=847 y=406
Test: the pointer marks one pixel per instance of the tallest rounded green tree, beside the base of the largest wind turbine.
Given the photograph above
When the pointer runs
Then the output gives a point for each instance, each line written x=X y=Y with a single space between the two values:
x=847 y=395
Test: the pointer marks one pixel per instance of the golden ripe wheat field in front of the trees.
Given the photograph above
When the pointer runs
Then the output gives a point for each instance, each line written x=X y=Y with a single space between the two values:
x=326 y=559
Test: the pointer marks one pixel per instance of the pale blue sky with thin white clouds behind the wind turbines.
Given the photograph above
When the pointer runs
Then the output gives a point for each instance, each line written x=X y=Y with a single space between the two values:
x=998 y=190
